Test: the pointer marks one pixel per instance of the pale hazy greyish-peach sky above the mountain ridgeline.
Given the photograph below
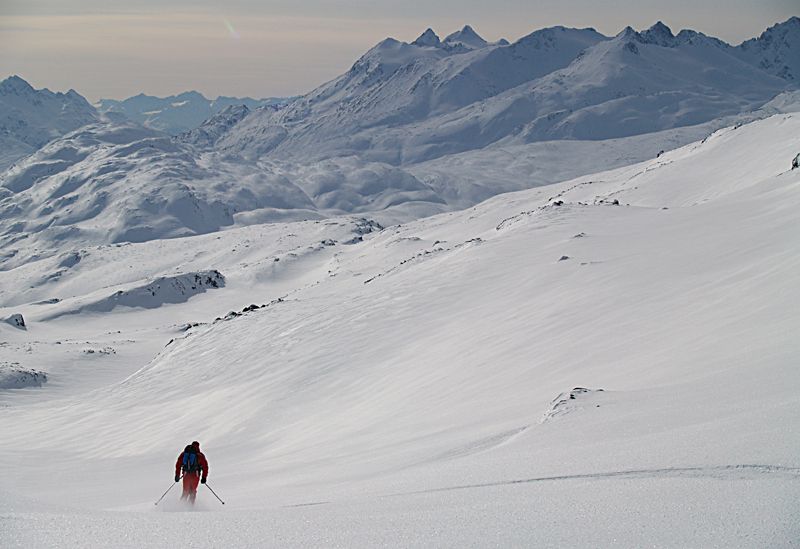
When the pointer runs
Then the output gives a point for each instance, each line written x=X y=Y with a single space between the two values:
x=264 y=48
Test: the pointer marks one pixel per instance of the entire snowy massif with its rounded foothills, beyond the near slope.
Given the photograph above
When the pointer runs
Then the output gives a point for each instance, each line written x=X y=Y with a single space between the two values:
x=410 y=131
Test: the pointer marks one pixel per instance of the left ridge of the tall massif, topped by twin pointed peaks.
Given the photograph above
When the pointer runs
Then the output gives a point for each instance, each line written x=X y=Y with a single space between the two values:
x=398 y=85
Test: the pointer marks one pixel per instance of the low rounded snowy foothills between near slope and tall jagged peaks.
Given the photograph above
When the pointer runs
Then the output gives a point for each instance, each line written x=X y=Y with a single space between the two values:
x=111 y=183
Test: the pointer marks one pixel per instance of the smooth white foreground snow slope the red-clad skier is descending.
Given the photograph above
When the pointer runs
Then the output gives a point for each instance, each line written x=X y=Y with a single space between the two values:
x=394 y=394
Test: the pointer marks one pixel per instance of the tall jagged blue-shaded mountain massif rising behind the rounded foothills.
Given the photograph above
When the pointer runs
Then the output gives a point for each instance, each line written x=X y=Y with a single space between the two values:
x=405 y=103
